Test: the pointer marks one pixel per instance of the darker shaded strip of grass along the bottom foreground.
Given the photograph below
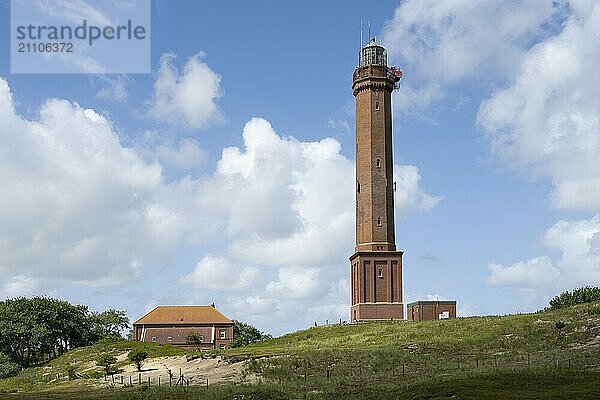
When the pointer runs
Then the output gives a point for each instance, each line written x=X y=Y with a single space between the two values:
x=536 y=384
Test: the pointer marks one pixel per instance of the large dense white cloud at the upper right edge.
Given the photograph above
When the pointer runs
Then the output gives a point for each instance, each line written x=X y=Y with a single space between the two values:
x=548 y=118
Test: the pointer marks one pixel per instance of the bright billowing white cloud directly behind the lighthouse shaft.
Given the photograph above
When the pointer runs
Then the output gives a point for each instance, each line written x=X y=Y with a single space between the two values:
x=288 y=207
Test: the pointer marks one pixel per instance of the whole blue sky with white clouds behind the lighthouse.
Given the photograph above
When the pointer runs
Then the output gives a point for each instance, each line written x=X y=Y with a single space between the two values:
x=226 y=174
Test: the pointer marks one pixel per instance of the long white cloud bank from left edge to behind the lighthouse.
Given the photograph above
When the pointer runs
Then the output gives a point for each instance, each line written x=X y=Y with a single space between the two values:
x=79 y=207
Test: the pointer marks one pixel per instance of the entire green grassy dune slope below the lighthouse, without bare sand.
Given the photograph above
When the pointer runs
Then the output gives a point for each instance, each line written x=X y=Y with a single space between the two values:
x=546 y=355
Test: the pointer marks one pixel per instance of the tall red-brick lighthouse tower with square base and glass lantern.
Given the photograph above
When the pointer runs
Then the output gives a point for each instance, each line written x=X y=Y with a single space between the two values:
x=376 y=265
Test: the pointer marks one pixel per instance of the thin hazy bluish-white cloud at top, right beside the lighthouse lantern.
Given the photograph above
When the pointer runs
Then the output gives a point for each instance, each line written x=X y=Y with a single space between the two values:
x=434 y=42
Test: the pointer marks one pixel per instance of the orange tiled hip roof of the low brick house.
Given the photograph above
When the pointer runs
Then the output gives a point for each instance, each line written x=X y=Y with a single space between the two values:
x=183 y=315
